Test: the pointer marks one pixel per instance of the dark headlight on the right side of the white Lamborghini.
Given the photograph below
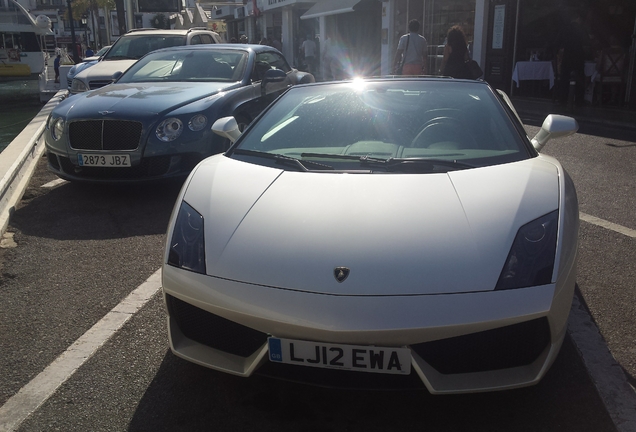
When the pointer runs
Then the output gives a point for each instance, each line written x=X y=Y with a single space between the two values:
x=531 y=258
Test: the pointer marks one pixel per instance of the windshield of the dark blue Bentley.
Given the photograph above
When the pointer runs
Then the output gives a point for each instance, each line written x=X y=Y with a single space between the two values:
x=207 y=65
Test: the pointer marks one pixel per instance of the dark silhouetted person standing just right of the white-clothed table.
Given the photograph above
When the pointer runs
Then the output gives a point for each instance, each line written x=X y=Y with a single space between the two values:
x=573 y=40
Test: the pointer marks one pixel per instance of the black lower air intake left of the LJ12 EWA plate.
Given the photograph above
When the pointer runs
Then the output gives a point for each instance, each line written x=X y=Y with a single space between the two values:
x=214 y=331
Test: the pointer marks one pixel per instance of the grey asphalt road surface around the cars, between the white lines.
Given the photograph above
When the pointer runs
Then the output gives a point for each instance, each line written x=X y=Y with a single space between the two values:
x=73 y=252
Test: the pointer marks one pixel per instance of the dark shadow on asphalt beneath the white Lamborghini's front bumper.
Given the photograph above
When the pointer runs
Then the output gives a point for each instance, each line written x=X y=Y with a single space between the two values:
x=184 y=396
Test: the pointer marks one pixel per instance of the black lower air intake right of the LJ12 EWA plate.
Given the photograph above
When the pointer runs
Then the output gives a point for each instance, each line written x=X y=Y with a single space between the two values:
x=501 y=348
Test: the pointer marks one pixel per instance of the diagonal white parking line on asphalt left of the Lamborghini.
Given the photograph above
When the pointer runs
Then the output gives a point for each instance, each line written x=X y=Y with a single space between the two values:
x=39 y=389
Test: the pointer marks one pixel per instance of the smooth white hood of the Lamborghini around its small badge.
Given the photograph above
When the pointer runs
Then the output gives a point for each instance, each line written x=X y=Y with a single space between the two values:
x=398 y=234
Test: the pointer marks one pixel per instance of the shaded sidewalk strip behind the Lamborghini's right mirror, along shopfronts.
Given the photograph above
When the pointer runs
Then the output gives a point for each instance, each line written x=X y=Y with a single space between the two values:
x=534 y=111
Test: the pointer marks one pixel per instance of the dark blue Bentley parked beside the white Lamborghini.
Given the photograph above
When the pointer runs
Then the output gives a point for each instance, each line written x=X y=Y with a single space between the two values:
x=155 y=120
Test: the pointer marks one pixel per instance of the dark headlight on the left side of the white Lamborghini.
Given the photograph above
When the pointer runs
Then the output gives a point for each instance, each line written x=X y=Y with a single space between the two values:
x=187 y=246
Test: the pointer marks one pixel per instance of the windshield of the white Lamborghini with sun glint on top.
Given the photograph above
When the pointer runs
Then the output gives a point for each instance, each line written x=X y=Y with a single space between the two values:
x=393 y=125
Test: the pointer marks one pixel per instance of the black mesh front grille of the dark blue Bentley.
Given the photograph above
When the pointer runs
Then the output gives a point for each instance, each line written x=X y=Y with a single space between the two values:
x=109 y=135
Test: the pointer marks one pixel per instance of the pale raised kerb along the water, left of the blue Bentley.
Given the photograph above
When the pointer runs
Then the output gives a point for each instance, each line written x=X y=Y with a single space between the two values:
x=19 y=160
